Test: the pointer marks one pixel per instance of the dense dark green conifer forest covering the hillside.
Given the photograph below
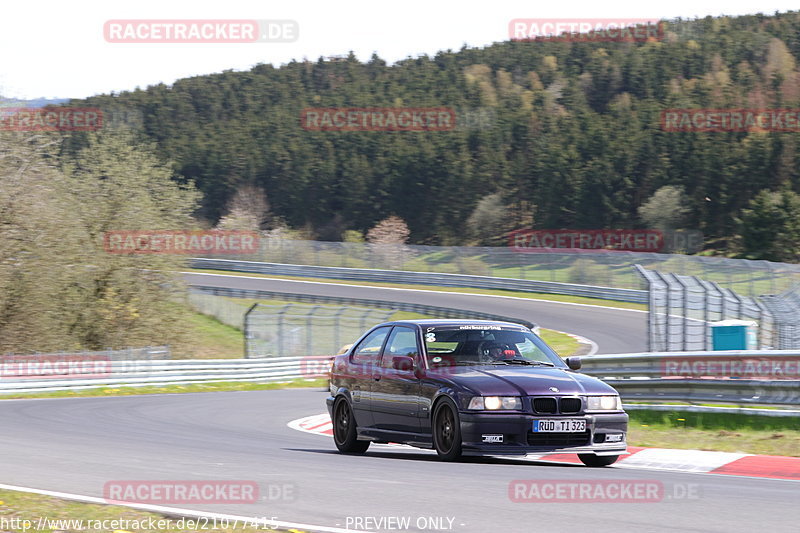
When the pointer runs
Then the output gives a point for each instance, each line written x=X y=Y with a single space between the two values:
x=548 y=134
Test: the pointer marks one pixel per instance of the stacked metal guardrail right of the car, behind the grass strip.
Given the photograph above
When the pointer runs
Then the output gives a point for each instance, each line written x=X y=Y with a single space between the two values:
x=675 y=376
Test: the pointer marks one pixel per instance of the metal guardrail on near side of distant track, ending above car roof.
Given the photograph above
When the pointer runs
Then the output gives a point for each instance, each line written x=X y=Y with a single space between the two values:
x=430 y=310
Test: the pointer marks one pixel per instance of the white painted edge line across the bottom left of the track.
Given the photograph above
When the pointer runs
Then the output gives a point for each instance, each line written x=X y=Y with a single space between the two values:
x=174 y=511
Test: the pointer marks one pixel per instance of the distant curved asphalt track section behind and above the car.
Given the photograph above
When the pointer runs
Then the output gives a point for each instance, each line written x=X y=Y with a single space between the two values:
x=614 y=330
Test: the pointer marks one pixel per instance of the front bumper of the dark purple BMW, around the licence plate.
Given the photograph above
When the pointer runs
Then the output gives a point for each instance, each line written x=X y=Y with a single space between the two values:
x=519 y=439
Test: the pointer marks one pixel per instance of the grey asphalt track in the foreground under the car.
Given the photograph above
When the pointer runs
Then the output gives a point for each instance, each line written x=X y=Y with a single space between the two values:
x=77 y=445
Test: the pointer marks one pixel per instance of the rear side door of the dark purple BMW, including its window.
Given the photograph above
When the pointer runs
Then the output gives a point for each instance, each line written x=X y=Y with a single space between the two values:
x=364 y=359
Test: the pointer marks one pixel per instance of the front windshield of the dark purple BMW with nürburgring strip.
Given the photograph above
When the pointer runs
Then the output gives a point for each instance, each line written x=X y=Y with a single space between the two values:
x=479 y=344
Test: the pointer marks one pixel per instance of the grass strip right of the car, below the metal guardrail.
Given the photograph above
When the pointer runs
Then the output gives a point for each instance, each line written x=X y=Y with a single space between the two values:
x=720 y=432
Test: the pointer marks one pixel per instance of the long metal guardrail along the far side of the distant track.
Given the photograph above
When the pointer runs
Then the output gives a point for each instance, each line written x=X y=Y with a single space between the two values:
x=423 y=278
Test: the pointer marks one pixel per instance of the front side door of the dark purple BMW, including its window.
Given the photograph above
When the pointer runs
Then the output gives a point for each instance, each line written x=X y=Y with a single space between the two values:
x=395 y=393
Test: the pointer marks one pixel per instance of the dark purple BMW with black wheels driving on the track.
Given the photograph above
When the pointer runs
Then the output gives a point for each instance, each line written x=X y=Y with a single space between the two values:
x=471 y=387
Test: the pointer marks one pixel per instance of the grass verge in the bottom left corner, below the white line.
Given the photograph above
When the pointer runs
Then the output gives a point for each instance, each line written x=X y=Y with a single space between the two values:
x=25 y=512
